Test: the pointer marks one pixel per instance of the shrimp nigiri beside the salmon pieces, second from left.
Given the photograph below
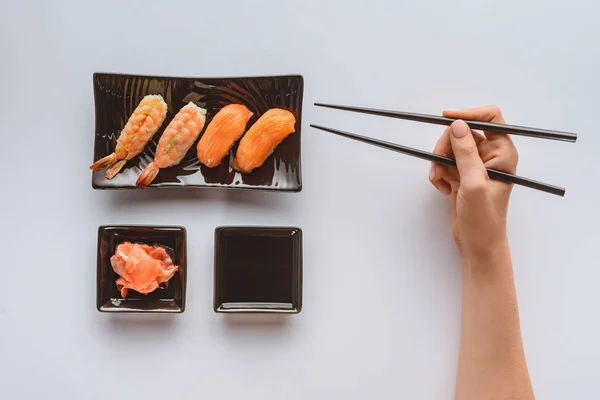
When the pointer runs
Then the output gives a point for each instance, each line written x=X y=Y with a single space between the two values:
x=178 y=138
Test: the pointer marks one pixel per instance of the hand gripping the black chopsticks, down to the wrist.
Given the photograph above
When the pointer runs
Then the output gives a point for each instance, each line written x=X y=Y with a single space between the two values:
x=479 y=204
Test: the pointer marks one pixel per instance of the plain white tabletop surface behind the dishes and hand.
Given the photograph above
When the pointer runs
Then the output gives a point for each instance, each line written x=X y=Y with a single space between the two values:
x=382 y=278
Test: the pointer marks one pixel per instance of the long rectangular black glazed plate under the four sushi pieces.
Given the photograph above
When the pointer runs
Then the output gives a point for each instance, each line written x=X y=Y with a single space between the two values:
x=116 y=96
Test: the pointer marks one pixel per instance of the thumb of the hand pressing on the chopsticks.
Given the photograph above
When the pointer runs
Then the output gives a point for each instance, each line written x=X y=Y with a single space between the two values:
x=470 y=166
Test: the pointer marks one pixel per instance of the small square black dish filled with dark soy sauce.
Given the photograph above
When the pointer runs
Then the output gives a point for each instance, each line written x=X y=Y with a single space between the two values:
x=258 y=269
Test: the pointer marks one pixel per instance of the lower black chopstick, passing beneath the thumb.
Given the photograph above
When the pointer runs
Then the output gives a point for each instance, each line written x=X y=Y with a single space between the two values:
x=492 y=173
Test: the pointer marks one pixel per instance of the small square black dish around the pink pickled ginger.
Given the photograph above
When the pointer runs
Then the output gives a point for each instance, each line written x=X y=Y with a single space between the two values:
x=170 y=299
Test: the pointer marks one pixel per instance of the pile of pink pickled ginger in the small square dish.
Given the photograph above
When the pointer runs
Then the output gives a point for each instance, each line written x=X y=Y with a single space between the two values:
x=141 y=267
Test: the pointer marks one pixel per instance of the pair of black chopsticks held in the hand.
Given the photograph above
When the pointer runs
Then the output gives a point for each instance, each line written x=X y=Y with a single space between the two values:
x=433 y=119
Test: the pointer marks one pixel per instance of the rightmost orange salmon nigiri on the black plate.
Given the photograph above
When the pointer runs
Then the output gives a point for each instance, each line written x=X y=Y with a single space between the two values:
x=262 y=138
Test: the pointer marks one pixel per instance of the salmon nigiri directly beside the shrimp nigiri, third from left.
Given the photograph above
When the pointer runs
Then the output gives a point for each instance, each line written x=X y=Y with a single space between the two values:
x=225 y=128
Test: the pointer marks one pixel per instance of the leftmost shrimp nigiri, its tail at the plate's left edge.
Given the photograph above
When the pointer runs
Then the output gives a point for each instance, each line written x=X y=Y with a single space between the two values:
x=141 y=126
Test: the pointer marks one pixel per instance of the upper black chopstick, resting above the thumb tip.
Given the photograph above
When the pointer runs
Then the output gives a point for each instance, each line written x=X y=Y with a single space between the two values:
x=484 y=126
